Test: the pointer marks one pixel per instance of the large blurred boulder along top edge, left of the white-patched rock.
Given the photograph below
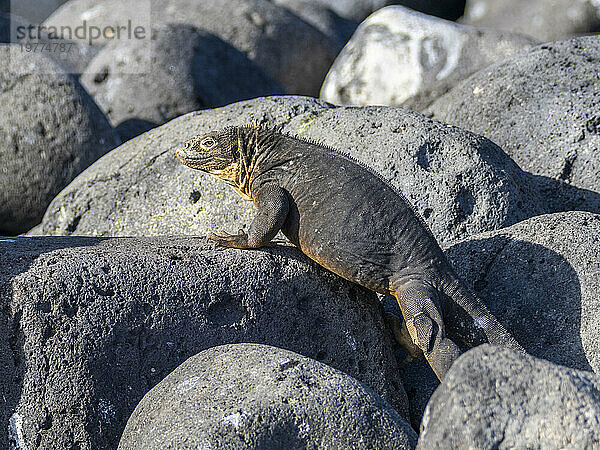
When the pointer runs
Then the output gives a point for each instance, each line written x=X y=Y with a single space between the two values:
x=289 y=49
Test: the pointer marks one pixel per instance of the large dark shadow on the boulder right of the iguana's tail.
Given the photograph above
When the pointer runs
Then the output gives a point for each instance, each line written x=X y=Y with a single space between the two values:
x=532 y=290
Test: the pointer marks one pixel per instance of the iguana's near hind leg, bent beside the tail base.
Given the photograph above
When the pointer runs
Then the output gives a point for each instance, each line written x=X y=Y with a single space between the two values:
x=420 y=308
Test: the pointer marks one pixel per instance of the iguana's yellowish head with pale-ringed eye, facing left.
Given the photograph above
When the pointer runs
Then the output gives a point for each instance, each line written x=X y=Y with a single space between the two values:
x=218 y=153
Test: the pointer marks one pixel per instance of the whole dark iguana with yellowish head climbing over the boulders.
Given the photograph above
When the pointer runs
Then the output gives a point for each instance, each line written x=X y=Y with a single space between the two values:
x=348 y=219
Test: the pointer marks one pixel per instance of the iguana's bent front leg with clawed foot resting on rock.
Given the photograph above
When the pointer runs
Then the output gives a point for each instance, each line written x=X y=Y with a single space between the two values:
x=273 y=206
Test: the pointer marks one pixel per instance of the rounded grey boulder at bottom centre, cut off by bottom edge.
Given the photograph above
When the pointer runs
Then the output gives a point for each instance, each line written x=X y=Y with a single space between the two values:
x=256 y=396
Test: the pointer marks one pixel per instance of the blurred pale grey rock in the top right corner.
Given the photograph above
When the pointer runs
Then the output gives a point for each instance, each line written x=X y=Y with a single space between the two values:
x=546 y=20
